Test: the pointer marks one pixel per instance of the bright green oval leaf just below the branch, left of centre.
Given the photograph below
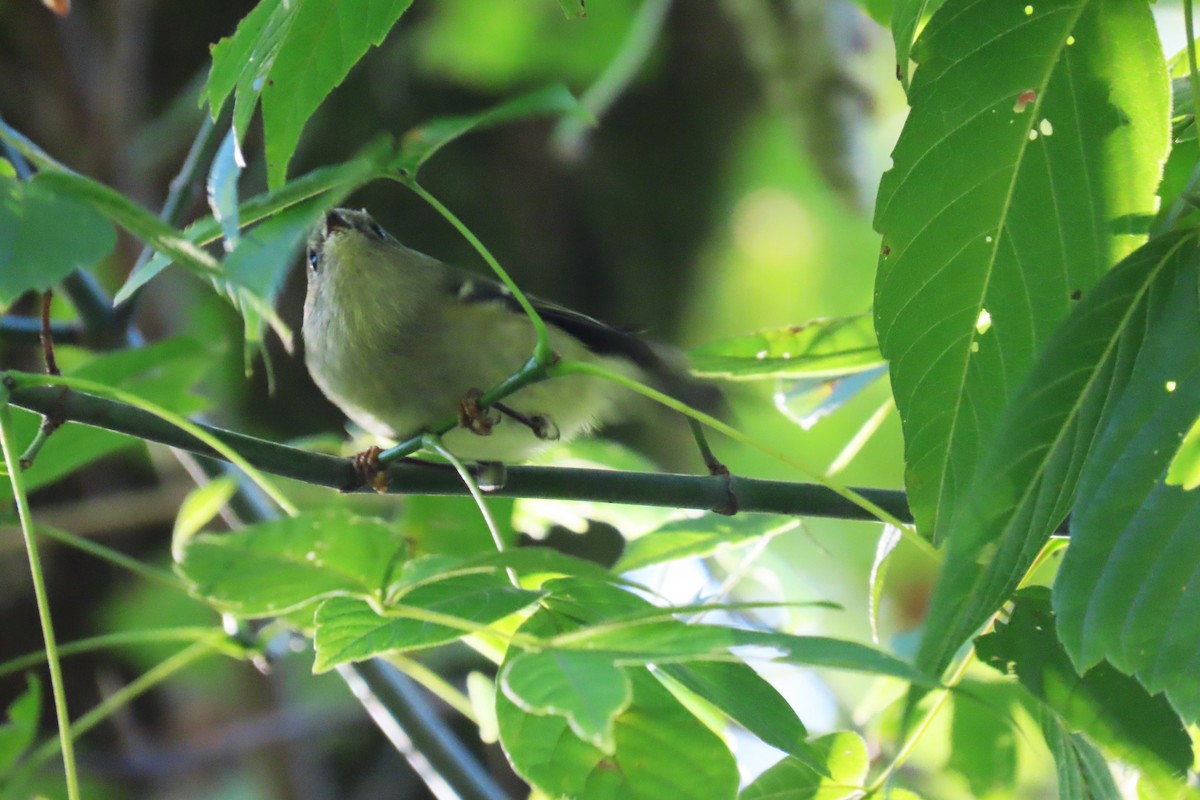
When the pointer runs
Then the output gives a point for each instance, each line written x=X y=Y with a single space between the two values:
x=281 y=566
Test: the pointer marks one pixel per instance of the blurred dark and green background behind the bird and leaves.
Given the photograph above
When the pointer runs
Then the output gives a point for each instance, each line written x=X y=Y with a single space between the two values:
x=727 y=190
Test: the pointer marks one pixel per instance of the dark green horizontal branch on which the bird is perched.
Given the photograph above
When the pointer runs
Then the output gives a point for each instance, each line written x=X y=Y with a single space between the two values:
x=595 y=485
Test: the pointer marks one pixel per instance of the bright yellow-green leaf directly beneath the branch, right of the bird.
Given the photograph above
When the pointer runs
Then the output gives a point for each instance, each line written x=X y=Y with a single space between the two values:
x=699 y=537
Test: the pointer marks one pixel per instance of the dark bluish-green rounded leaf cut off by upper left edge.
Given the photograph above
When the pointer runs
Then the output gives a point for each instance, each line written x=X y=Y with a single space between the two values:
x=37 y=249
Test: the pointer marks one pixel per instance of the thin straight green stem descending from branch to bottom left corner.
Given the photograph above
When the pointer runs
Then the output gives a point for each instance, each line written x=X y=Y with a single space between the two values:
x=44 y=605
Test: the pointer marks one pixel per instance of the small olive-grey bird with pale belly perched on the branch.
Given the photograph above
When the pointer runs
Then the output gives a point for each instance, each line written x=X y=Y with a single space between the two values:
x=400 y=341
